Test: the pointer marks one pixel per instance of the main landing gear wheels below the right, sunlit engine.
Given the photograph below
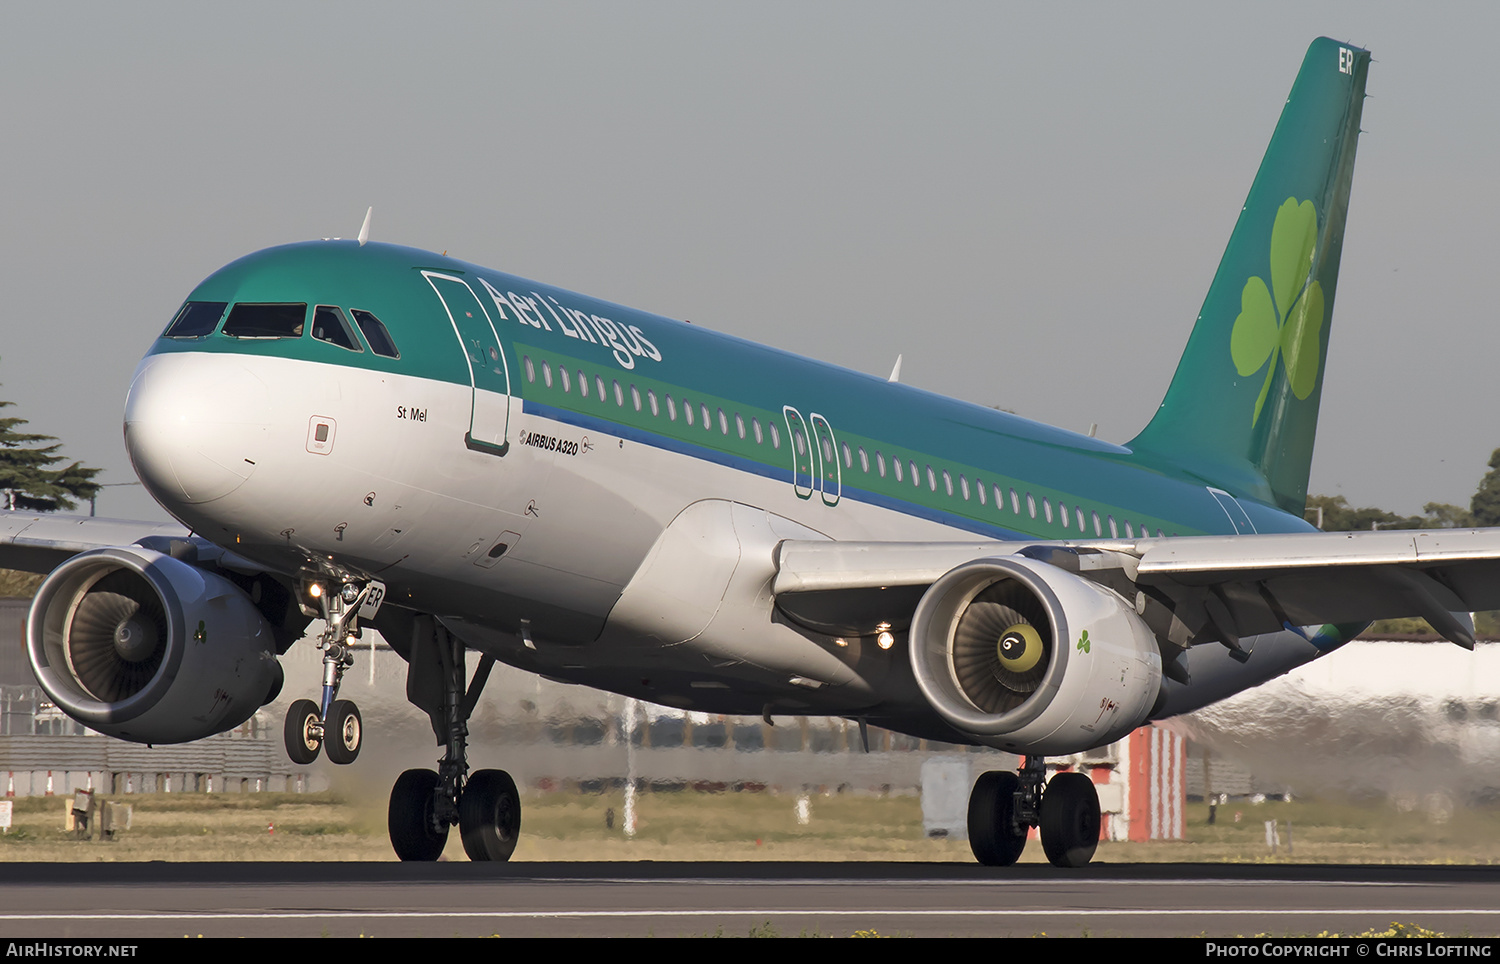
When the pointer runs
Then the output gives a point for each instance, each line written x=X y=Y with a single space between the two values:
x=1004 y=807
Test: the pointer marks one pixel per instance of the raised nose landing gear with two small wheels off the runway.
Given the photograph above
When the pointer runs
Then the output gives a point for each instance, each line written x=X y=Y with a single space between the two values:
x=334 y=723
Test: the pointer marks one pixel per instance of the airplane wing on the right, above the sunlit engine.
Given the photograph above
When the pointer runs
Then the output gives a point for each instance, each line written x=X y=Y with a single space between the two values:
x=1189 y=590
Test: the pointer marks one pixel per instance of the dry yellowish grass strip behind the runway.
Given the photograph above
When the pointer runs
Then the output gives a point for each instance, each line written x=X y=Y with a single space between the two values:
x=728 y=827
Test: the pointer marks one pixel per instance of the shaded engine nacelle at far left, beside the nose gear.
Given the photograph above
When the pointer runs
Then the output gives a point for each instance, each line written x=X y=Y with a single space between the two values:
x=148 y=648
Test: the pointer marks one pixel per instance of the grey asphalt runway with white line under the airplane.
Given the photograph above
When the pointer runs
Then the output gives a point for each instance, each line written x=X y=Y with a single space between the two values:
x=679 y=900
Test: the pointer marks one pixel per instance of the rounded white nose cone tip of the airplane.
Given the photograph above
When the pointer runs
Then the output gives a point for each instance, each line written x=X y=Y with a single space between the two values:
x=194 y=427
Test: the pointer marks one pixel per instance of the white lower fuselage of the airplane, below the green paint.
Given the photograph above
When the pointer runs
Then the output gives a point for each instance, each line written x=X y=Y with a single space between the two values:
x=578 y=555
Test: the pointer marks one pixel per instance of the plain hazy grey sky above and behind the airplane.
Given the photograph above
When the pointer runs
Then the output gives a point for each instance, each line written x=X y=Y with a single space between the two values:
x=1025 y=202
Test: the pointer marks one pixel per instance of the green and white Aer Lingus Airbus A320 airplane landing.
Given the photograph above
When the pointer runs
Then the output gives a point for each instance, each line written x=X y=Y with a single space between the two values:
x=461 y=460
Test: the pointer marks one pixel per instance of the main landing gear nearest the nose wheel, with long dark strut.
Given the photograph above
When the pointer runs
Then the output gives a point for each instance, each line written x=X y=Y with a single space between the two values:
x=425 y=804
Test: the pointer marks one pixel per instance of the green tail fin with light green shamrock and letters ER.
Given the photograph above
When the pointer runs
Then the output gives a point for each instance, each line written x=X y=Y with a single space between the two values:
x=1241 y=413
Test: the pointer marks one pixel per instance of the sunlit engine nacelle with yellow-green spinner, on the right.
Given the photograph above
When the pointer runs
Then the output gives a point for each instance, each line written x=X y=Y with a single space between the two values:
x=1031 y=659
